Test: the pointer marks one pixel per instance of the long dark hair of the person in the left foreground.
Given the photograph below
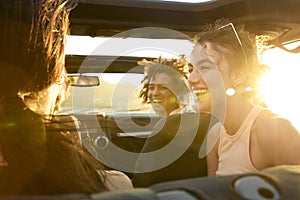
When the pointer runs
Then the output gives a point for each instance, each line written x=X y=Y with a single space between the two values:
x=38 y=157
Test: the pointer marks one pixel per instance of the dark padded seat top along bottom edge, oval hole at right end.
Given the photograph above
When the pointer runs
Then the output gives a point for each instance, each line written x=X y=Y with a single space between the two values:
x=280 y=183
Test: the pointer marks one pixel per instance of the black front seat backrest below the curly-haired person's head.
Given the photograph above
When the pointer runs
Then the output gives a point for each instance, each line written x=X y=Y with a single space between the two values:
x=188 y=165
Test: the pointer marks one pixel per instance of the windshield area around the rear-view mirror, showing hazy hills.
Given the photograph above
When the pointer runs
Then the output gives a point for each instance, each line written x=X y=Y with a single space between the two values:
x=117 y=92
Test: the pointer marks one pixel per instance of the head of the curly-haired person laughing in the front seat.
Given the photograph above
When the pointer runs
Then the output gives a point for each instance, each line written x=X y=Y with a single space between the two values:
x=165 y=86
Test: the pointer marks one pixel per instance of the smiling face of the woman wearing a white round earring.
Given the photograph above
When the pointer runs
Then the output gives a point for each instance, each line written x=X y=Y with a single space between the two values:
x=208 y=77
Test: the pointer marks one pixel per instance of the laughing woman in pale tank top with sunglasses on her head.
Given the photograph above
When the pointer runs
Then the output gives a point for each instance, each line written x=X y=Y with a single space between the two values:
x=225 y=78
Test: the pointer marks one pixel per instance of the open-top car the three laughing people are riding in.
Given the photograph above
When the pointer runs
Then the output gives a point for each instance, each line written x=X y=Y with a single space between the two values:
x=107 y=48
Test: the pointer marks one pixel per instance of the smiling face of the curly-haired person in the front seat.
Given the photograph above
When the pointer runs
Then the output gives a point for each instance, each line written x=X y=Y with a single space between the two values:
x=161 y=94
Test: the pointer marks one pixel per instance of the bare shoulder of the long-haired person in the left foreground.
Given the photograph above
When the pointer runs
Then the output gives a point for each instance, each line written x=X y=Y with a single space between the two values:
x=116 y=180
